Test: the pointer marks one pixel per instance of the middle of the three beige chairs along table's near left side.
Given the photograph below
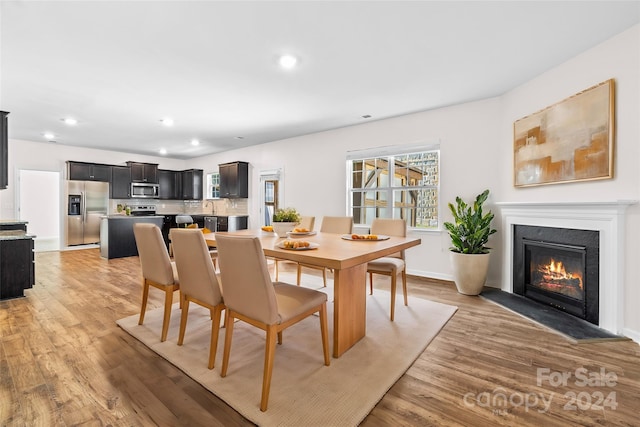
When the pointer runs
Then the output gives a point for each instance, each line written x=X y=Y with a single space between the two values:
x=199 y=282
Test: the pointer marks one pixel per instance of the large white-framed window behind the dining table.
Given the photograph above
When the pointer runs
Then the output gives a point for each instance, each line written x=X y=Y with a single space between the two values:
x=404 y=185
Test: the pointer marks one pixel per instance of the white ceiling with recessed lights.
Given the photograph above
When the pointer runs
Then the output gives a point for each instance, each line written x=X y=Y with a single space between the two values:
x=118 y=68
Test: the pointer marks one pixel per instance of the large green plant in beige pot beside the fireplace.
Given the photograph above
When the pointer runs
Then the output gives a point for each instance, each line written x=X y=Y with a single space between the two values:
x=469 y=234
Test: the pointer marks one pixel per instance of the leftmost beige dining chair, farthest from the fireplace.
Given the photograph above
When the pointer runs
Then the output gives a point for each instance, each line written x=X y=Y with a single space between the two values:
x=157 y=270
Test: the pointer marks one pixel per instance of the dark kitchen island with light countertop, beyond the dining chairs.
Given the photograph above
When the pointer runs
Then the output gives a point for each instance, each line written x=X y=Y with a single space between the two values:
x=116 y=234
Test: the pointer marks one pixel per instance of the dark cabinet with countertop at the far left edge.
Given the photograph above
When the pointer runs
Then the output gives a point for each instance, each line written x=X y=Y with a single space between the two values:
x=17 y=267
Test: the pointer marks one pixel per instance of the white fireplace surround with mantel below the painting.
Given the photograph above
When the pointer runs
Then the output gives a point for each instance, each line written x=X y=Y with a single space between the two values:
x=606 y=217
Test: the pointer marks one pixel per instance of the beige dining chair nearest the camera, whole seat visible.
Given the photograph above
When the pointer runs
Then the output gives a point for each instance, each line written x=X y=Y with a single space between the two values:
x=252 y=297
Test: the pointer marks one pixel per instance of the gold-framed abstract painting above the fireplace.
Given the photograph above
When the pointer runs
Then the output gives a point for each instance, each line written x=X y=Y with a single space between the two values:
x=572 y=140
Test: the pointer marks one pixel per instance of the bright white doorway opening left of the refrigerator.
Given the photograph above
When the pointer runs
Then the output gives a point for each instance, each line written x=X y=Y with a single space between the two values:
x=39 y=204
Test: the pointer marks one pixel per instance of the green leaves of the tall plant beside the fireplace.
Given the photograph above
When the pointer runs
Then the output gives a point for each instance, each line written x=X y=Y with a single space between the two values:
x=471 y=228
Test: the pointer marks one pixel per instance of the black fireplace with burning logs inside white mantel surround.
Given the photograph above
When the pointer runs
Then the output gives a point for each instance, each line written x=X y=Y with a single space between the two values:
x=558 y=267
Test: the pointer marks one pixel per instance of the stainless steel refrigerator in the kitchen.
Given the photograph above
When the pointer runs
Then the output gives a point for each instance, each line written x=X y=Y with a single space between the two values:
x=87 y=202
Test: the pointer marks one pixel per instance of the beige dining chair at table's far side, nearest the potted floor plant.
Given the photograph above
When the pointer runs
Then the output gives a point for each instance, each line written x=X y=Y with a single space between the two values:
x=390 y=265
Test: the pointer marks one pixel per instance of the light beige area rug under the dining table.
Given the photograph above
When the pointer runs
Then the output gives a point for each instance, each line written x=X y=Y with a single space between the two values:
x=304 y=392
